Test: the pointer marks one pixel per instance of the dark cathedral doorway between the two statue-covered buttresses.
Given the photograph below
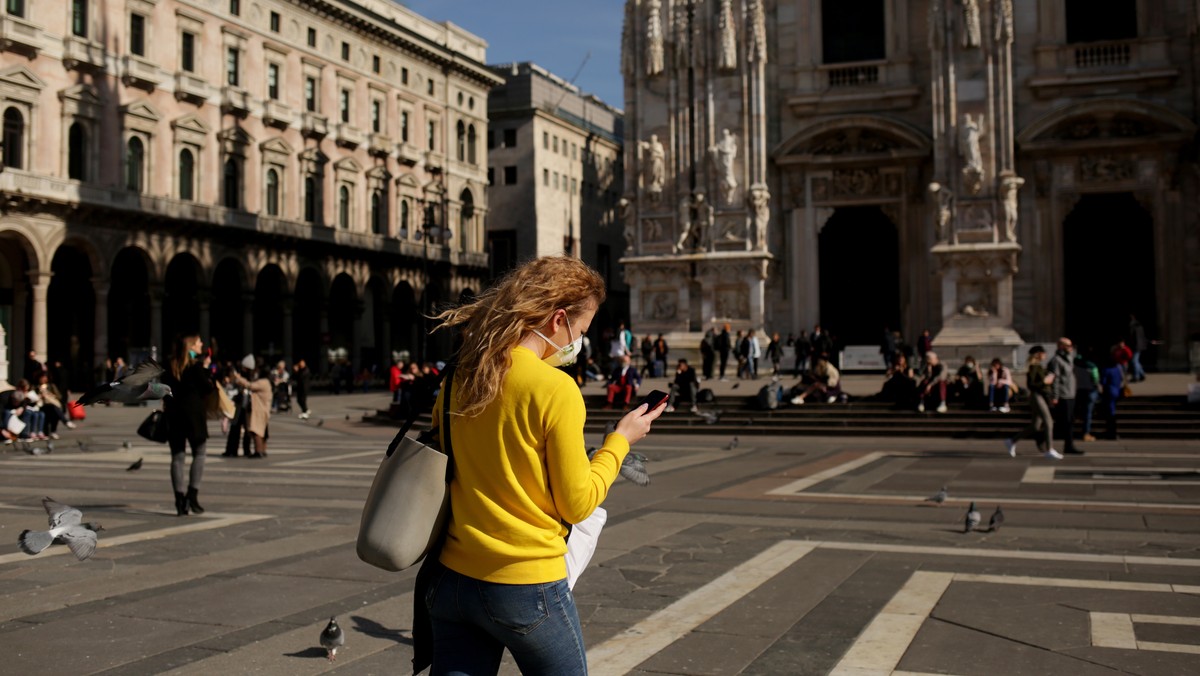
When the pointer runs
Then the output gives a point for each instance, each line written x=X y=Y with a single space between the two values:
x=860 y=277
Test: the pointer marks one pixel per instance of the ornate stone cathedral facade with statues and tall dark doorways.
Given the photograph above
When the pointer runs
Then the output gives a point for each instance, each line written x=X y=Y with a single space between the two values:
x=1000 y=172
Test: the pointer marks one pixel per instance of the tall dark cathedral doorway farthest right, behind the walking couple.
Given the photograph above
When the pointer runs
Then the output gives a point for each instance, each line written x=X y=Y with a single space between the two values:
x=1108 y=271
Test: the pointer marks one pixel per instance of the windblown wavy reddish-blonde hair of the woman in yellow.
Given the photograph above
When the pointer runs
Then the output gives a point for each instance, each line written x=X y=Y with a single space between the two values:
x=503 y=315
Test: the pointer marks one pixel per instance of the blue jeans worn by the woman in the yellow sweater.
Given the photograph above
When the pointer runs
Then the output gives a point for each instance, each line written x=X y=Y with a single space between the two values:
x=475 y=621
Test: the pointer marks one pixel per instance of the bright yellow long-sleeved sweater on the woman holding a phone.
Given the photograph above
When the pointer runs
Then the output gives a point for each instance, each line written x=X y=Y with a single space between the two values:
x=521 y=469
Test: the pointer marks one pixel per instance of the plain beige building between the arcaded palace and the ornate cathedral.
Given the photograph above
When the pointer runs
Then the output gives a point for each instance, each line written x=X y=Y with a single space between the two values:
x=555 y=169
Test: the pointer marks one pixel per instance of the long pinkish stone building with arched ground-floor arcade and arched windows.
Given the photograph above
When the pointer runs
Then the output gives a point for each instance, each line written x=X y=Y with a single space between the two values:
x=285 y=178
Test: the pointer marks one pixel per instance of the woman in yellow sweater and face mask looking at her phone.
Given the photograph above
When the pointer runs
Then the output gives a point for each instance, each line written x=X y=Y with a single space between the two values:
x=521 y=471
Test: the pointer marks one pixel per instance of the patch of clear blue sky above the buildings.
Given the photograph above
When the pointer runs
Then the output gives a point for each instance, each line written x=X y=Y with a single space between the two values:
x=555 y=34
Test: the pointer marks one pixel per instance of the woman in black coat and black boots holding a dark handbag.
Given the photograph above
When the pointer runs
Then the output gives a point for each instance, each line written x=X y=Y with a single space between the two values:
x=187 y=414
